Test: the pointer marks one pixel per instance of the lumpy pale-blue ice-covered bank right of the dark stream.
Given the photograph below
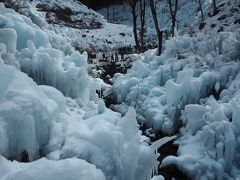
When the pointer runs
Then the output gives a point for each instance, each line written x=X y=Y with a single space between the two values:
x=193 y=88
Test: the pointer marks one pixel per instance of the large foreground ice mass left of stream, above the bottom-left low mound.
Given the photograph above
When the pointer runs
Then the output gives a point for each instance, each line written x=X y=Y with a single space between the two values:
x=44 y=122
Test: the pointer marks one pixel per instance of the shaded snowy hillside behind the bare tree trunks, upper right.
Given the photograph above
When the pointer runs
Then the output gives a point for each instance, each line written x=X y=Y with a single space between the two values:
x=188 y=17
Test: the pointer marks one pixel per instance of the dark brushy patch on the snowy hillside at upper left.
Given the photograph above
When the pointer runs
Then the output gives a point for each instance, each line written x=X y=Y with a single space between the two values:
x=69 y=13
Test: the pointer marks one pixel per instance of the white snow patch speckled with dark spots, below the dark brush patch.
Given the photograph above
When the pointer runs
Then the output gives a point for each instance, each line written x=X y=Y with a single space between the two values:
x=106 y=39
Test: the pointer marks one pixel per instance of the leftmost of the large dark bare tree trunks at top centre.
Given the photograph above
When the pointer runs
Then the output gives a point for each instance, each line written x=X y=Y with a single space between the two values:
x=133 y=4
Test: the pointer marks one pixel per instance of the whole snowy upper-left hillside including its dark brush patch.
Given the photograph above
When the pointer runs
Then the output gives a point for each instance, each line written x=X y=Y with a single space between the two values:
x=79 y=26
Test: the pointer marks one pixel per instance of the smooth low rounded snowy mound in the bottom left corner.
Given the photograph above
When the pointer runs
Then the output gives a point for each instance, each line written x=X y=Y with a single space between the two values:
x=71 y=169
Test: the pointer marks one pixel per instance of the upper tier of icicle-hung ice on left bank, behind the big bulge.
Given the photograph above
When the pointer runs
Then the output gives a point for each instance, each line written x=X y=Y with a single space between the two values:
x=44 y=64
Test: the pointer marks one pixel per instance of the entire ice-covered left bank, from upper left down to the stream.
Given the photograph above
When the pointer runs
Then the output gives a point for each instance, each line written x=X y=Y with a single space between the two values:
x=37 y=120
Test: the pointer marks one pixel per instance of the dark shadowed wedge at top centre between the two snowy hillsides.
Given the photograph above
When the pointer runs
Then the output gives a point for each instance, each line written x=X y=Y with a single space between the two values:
x=96 y=4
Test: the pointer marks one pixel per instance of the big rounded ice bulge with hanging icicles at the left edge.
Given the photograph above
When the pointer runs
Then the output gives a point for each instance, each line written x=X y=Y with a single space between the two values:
x=26 y=115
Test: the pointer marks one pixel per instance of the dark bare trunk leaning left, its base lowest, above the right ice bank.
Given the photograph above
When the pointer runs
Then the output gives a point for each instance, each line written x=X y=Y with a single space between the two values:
x=157 y=27
